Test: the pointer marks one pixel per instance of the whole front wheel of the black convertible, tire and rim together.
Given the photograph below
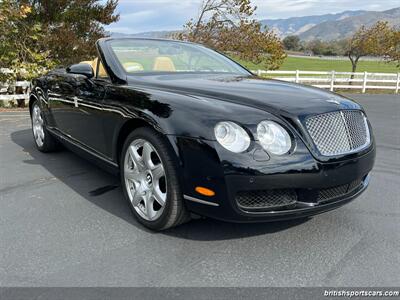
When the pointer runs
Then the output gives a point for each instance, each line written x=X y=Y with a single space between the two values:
x=149 y=180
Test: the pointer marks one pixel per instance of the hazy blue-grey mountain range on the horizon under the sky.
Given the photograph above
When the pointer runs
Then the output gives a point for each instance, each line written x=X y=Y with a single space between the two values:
x=323 y=27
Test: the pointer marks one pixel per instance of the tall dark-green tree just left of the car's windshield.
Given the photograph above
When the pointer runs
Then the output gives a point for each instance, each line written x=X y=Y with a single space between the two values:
x=71 y=27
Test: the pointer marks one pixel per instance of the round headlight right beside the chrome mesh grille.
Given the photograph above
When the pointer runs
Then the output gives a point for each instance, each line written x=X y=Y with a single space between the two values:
x=274 y=138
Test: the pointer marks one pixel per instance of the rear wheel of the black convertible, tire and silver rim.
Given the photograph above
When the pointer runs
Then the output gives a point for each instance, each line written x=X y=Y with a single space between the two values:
x=44 y=141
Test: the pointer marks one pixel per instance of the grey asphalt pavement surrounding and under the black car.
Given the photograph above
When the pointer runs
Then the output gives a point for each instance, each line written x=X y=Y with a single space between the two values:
x=63 y=222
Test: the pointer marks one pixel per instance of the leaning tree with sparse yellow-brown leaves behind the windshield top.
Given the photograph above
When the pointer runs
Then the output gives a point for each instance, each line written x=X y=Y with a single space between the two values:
x=228 y=26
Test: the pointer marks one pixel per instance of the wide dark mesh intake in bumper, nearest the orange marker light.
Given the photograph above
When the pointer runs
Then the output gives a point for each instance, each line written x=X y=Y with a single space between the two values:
x=266 y=198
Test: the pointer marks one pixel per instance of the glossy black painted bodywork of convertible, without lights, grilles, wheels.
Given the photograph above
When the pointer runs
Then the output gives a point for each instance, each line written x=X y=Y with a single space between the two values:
x=92 y=116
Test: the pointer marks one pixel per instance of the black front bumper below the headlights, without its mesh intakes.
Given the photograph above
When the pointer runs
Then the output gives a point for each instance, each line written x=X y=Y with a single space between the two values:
x=205 y=164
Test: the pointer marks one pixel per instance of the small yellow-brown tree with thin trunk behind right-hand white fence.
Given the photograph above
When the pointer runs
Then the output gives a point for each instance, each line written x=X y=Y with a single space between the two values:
x=368 y=41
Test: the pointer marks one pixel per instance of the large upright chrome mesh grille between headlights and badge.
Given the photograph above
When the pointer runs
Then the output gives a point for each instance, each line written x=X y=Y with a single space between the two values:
x=339 y=132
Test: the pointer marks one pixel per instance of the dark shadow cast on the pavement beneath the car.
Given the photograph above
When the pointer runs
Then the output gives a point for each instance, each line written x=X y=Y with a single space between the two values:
x=103 y=189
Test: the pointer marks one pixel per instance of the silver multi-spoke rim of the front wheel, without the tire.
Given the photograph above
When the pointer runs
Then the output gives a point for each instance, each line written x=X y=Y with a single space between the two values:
x=145 y=179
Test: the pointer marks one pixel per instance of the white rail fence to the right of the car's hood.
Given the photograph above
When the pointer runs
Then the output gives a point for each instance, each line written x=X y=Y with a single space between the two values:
x=338 y=80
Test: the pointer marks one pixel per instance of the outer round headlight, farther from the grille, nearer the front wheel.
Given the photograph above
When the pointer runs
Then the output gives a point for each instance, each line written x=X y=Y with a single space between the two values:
x=232 y=137
